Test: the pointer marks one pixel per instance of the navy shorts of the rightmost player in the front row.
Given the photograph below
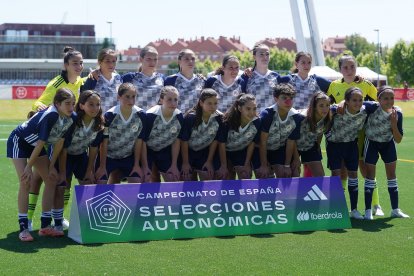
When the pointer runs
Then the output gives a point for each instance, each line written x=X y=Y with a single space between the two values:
x=372 y=150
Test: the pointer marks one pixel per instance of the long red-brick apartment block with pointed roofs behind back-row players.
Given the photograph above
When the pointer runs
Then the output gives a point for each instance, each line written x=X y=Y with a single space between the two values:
x=204 y=48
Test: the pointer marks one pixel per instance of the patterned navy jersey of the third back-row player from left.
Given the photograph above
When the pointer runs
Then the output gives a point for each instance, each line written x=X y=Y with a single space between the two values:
x=148 y=87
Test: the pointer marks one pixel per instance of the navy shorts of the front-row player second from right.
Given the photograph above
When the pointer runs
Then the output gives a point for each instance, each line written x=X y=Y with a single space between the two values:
x=347 y=151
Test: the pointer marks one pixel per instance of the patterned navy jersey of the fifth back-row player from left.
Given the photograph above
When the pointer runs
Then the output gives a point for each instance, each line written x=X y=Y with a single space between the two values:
x=227 y=93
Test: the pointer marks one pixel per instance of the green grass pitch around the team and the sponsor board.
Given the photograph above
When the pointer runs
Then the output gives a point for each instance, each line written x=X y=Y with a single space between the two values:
x=383 y=246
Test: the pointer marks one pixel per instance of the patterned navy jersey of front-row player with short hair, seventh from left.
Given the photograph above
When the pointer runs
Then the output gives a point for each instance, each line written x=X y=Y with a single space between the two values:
x=280 y=130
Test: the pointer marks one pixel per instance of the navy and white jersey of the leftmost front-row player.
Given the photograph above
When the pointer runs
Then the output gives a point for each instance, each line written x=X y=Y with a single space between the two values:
x=45 y=125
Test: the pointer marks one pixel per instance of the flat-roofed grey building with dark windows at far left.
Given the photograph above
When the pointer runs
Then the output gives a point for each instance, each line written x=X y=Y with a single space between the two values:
x=48 y=40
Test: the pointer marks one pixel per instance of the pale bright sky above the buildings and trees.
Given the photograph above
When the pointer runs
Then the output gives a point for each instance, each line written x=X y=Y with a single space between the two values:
x=139 y=22
